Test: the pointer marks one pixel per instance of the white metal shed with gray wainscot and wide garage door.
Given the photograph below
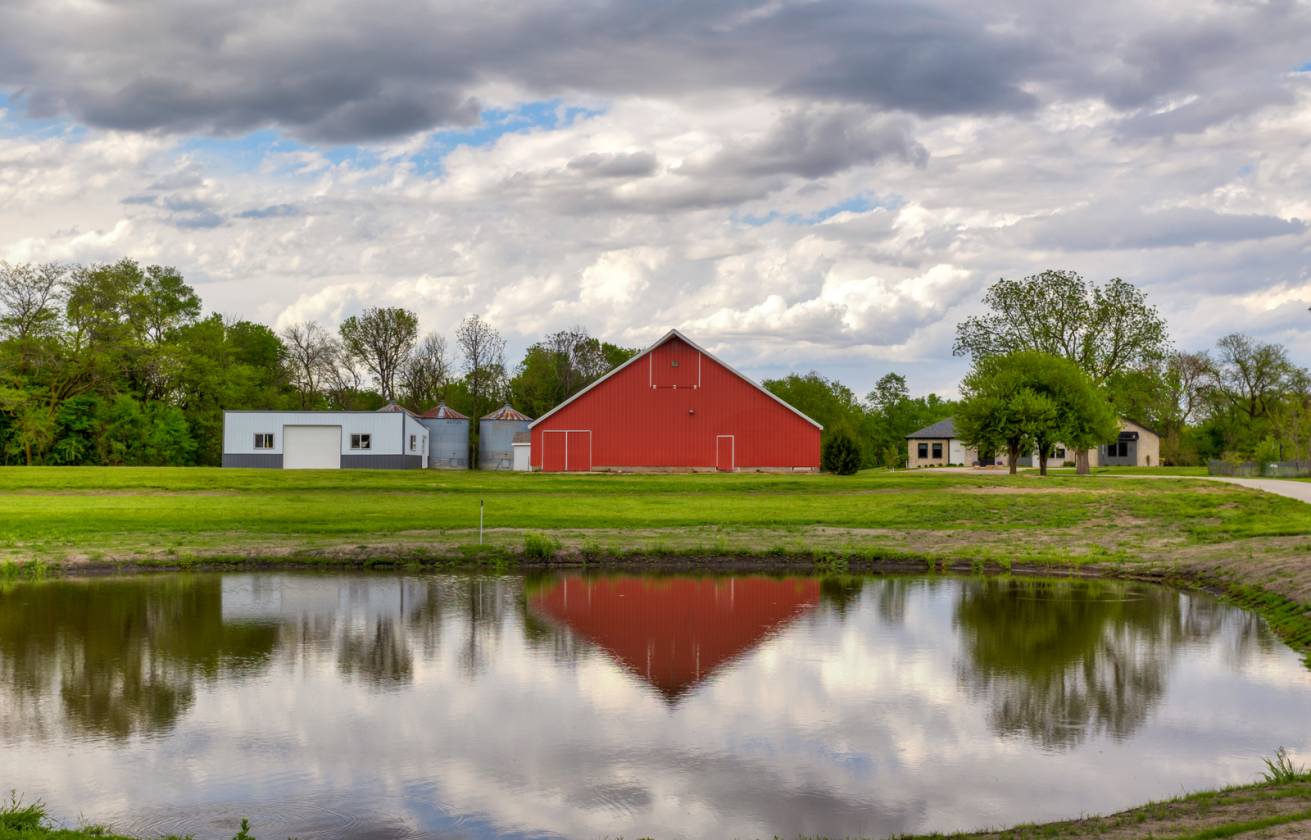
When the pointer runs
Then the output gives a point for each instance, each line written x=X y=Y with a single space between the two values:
x=390 y=438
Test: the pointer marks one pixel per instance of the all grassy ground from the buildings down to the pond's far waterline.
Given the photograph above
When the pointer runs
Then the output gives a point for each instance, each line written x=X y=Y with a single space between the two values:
x=1254 y=546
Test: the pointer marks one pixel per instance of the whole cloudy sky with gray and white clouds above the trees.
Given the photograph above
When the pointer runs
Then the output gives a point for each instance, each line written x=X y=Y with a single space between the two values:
x=799 y=185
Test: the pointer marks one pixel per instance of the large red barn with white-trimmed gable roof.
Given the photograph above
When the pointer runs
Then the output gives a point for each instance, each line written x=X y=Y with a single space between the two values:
x=675 y=407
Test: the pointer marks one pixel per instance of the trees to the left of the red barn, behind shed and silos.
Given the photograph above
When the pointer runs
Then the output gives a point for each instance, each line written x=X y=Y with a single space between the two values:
x=116 y=364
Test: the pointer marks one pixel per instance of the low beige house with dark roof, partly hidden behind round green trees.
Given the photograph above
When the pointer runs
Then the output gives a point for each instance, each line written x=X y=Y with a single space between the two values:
x=938 y=446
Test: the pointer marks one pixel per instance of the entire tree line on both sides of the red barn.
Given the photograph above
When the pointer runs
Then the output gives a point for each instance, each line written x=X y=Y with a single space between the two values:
x=117 y=365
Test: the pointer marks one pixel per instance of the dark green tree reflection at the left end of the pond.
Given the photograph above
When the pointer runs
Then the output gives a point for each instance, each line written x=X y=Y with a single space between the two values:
x=124 y=656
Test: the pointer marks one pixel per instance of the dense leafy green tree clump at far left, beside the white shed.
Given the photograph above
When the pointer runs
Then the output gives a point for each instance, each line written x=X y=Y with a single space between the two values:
x=115 y=365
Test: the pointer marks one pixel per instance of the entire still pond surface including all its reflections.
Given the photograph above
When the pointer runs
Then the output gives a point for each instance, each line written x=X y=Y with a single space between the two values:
x=373 y=706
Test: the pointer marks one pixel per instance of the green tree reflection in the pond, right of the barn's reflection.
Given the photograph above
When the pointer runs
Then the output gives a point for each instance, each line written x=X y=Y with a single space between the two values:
x=1061 y=661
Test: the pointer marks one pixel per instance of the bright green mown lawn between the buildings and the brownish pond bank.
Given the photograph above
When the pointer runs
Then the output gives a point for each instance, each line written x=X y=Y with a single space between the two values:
x=53 y=514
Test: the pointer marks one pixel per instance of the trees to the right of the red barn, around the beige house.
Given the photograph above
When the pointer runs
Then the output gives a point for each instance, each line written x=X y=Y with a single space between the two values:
x=1056 y=360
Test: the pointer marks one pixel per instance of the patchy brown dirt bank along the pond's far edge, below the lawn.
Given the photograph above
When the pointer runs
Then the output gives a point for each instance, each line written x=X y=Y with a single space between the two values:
x=1271 y=577
